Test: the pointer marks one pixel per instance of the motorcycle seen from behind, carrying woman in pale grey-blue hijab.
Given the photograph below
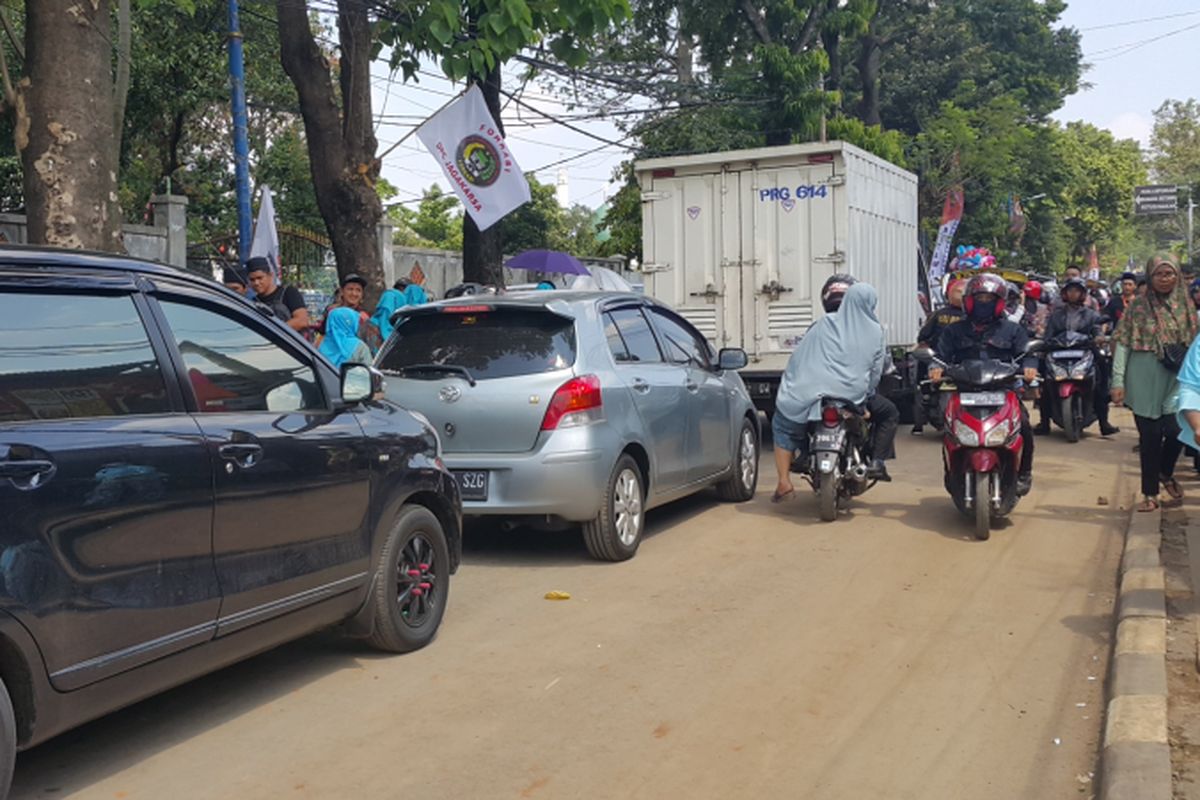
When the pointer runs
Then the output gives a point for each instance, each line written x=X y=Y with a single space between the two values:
x=837 y=461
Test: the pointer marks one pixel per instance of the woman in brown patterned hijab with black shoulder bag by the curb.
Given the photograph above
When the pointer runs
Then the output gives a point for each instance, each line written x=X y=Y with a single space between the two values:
x=1154 y=329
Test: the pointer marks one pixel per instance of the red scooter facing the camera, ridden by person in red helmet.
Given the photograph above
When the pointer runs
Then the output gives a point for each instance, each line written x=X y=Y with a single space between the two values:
x=982 y=440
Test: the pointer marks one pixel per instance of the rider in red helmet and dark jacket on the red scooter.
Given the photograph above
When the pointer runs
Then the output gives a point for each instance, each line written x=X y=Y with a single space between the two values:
x=987 y=334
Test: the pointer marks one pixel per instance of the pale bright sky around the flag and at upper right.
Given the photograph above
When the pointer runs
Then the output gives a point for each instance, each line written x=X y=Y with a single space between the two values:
x=1141 y=55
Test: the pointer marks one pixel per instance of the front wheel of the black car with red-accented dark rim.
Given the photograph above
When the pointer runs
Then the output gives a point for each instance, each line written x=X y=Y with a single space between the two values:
x=412 y=582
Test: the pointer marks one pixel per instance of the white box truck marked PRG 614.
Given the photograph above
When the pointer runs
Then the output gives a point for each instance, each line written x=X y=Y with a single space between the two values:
x=741 y=243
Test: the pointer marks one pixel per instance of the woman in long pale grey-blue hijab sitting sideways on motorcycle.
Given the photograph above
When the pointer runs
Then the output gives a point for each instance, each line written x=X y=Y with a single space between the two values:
x=843 y=356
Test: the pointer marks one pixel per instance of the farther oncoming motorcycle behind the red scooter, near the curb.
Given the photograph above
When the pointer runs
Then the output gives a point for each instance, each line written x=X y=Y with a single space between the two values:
x=1070 y=376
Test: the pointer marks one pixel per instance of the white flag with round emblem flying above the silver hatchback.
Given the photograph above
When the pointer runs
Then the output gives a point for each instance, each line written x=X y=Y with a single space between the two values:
x=477 y=163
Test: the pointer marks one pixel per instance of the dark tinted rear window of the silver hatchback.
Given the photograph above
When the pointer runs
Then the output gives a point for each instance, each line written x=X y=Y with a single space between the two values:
x=497 y=344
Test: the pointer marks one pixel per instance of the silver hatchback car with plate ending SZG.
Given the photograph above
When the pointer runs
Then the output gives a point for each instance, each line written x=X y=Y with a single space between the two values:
x=561 y=408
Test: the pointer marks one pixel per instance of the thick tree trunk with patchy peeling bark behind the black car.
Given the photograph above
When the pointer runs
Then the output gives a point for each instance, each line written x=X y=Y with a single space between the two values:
x=65 y=127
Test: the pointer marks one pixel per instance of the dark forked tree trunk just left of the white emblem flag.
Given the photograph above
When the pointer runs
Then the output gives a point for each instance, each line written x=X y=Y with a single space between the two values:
x=341 y=141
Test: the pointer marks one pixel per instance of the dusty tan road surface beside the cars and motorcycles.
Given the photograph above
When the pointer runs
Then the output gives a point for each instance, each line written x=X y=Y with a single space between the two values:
x=748 y=652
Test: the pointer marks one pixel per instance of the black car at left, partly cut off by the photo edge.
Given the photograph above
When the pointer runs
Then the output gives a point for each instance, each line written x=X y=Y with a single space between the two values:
x=187 y=483
